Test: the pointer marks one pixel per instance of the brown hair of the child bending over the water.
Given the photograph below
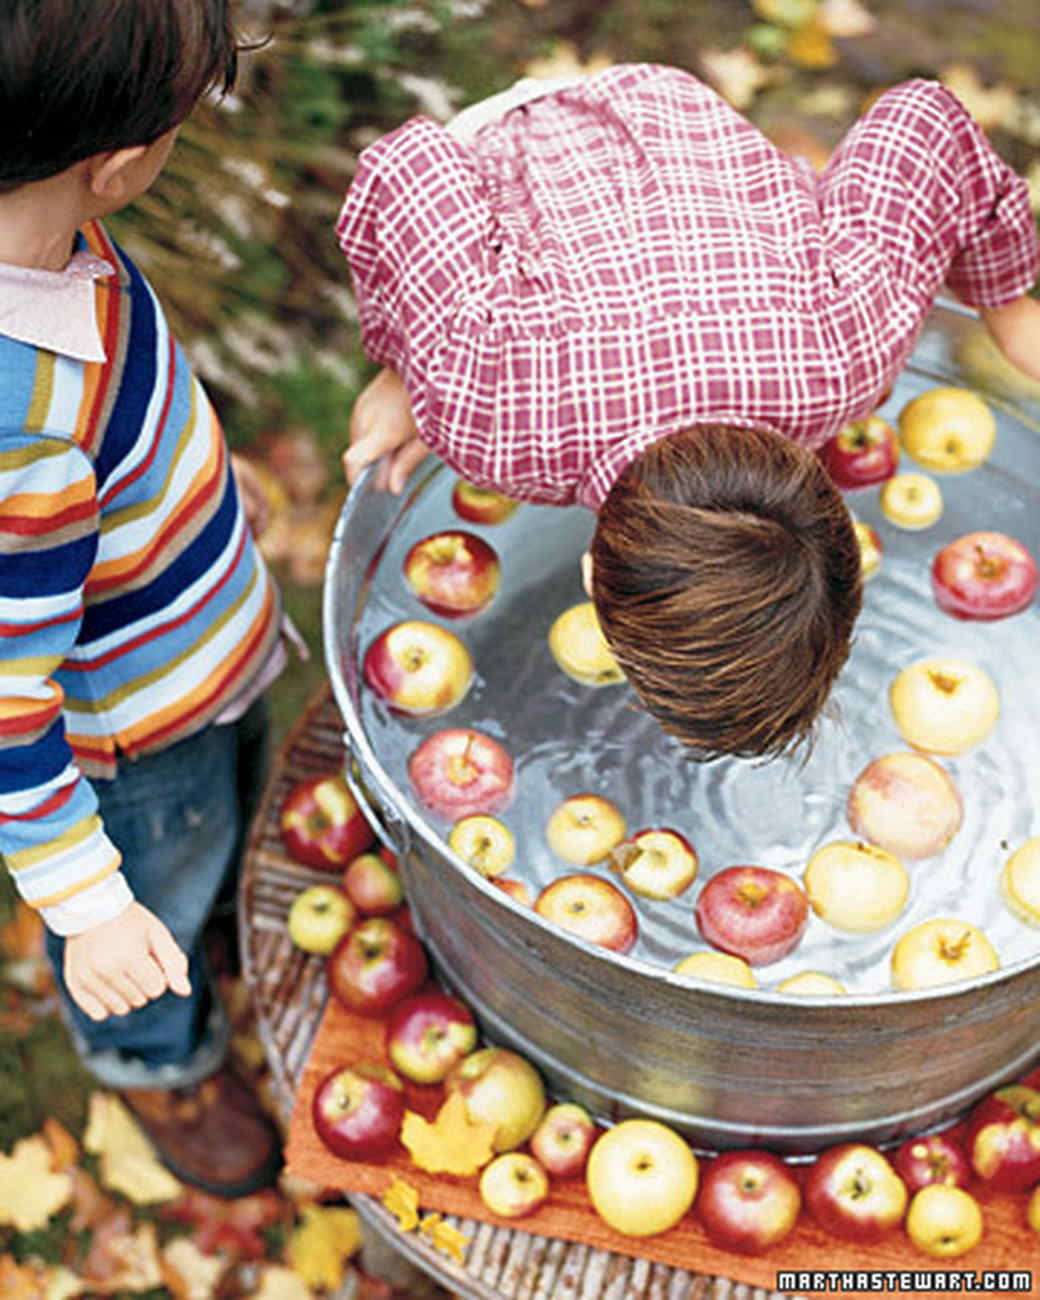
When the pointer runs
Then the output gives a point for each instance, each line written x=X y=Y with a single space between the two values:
x=727 y=579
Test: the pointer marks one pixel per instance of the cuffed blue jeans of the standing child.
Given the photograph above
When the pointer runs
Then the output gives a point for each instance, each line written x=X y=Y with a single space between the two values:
x=180 y=818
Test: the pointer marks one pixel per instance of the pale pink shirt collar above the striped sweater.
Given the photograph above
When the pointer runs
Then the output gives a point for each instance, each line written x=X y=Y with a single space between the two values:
x=57 y=310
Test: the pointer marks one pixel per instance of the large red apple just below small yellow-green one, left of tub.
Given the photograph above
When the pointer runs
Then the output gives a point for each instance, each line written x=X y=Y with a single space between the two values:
x=375 y=967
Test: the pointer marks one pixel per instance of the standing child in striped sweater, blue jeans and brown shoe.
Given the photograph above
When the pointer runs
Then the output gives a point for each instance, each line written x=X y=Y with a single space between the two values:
x=138 y=626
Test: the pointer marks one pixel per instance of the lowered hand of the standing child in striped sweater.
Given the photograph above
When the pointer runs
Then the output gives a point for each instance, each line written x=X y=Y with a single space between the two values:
x=123 y=964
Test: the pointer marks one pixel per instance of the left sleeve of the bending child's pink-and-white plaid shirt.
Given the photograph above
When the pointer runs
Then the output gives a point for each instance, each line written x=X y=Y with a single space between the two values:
x=414 y=229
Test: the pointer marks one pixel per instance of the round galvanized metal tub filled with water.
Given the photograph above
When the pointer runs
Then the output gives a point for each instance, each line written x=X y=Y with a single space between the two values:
x=623 y=1034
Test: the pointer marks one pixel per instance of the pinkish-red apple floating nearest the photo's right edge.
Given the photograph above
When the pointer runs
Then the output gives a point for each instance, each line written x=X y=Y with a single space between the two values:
x=983 y=577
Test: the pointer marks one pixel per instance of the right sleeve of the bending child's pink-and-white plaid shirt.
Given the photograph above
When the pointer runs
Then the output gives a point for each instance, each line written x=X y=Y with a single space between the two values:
x=920 y=175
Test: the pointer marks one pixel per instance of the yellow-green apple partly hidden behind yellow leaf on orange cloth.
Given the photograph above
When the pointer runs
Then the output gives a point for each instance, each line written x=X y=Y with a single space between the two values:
x=500 y=1087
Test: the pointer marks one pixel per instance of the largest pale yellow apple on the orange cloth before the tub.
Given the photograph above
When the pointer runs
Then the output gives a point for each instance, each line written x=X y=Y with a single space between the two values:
x=642 y=1177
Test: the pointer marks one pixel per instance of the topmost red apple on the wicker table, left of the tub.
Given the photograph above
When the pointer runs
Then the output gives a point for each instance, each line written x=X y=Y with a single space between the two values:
x=322 y=825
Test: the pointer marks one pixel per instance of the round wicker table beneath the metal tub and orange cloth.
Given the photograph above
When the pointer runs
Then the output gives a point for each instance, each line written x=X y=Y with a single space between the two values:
x=289 y=995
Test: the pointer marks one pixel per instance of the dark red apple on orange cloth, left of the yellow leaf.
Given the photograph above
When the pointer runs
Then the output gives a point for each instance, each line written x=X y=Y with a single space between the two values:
x=358 y=1110
